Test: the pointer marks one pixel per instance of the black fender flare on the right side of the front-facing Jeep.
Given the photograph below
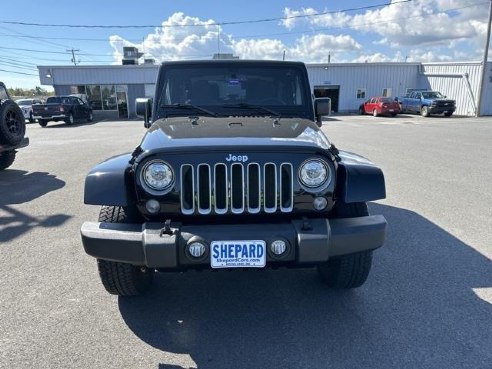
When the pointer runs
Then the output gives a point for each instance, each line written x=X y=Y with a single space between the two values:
x=359 y=179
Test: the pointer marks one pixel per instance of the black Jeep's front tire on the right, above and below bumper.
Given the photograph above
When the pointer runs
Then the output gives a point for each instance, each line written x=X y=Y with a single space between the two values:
x=347 y=271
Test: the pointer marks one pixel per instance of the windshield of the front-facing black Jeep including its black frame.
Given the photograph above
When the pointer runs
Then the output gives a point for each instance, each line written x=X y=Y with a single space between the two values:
x=234 y=88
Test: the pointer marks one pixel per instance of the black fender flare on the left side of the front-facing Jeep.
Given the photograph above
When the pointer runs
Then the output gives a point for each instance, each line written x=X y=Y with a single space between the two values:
x=107 y=182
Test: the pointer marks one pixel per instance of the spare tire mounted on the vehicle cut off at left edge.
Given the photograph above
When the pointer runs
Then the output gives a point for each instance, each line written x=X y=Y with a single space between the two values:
x=12 y=123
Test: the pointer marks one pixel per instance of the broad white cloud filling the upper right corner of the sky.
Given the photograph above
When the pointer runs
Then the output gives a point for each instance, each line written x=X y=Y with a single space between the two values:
x=431 y=23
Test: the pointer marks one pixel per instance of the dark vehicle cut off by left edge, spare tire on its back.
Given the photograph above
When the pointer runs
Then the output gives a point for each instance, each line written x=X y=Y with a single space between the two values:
x=12 y=129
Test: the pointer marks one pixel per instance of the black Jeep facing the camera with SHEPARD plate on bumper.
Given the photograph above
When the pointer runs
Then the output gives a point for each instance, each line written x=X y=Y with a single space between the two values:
x=234 y=172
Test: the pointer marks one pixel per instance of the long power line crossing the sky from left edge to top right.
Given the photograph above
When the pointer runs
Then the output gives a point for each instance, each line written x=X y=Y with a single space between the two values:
x=208 y=23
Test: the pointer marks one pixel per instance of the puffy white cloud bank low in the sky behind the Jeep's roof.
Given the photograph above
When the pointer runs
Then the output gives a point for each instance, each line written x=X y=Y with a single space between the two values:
x=182 y=37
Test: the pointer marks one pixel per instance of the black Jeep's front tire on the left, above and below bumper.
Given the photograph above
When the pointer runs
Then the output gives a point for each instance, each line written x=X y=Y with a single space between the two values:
x=122 y=279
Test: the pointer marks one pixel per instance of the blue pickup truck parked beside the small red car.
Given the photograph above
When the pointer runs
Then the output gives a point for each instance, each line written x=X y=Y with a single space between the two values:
x=426 y=103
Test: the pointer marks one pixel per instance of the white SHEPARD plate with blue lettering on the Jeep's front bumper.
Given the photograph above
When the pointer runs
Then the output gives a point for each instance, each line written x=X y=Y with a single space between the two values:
x=238 y=254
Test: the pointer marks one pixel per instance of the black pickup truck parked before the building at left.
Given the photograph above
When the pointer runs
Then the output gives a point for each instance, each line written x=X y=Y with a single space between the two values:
x=62 y=108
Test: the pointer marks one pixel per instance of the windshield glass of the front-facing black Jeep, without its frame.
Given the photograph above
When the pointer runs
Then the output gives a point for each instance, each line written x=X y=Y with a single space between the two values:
x=220 y=88
